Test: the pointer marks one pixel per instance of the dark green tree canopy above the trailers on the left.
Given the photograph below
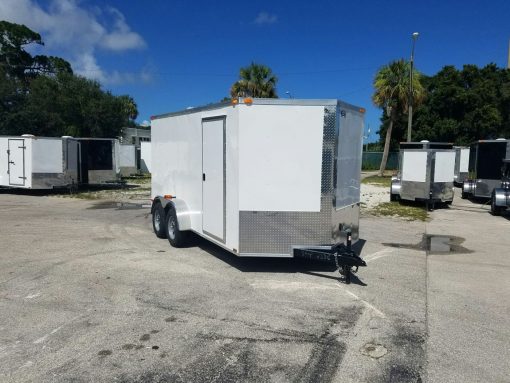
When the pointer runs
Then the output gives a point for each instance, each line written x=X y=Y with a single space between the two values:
x=41 y=95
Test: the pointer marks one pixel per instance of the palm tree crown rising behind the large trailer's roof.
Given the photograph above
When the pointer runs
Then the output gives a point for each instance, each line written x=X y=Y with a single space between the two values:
x=255 y=80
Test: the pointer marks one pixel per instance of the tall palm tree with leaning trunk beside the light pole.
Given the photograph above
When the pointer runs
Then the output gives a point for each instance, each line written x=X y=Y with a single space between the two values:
x=391 y=85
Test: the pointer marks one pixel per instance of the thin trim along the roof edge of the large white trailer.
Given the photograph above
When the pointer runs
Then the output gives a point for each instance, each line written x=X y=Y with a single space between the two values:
x=264 y=101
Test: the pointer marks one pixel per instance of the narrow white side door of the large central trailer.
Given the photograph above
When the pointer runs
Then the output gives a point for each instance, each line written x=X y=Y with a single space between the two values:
x=213 y=177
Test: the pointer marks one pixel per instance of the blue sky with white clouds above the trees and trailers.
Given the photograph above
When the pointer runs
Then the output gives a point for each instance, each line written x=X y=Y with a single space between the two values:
x=173 y=54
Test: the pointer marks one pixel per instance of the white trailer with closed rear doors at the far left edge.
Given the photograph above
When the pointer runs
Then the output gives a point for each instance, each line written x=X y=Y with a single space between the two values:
x=30 y=162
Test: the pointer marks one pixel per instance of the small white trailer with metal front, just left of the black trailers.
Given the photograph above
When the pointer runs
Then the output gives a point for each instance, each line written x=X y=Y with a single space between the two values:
x=426 y=173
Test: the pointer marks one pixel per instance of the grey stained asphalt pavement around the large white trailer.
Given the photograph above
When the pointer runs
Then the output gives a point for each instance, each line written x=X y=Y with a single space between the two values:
x=89 y=294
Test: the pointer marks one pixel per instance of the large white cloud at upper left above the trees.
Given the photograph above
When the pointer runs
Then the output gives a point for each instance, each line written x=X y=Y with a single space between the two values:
x=77 y=33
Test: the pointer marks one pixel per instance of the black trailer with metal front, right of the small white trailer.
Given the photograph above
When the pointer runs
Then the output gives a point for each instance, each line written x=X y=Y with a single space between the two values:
x=485 y=162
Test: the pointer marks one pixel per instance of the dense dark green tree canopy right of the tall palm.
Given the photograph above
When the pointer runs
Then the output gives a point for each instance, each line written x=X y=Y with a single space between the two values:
x=461 y=106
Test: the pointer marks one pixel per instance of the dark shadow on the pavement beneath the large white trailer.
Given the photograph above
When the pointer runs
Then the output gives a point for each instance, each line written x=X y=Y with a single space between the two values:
x=275 y=265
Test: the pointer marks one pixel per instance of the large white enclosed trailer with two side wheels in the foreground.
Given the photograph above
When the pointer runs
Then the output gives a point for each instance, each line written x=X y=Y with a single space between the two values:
x=261 y=177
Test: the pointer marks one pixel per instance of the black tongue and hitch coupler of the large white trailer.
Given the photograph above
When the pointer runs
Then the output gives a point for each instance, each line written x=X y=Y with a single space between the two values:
x=345 y=259
